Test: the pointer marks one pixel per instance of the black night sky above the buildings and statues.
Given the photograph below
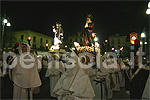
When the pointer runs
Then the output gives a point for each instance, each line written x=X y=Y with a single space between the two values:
x=110 y=17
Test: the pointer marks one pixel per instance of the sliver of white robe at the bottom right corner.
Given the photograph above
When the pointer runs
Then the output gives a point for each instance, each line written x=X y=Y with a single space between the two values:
x=146 y=93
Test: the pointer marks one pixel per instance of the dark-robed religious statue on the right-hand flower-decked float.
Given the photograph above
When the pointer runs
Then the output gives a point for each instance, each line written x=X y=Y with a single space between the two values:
x=87 y=30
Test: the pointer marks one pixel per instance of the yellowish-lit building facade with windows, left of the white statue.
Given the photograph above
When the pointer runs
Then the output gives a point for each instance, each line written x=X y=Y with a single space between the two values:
x=38 y=40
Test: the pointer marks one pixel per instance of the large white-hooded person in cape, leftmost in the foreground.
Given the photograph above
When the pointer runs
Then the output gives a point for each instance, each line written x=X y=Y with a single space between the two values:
x=24 y=73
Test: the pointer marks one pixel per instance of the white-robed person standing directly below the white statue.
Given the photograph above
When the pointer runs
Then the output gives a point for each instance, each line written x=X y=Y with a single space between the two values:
x=54 y=71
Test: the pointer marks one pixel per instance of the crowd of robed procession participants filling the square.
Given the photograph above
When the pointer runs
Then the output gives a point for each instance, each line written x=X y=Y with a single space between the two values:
x=72 y=79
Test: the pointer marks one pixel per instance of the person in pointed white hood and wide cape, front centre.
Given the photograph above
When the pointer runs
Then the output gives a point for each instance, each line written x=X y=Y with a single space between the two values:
x=74 y=84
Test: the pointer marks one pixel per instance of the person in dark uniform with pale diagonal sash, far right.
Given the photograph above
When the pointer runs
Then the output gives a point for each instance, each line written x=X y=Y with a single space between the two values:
x=138 y=79
